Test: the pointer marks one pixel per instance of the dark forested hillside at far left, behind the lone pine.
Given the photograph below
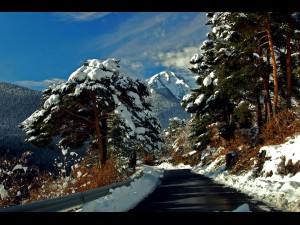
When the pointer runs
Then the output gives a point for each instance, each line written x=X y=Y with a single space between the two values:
x=17 y=104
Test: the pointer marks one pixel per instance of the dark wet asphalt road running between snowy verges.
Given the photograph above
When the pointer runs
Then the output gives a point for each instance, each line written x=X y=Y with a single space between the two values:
x=184 y=191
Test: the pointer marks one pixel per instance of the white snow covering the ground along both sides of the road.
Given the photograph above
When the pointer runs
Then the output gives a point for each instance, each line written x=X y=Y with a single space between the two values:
x=282 y=192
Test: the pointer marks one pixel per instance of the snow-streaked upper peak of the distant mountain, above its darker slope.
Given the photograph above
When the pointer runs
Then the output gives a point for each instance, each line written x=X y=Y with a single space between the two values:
x=174 y=83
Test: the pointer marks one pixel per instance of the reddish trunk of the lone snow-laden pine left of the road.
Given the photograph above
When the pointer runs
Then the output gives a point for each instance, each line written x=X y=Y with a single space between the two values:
x=98 y=131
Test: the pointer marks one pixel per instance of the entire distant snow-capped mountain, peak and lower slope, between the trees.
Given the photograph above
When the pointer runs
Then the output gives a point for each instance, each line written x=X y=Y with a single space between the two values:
x=167 y=89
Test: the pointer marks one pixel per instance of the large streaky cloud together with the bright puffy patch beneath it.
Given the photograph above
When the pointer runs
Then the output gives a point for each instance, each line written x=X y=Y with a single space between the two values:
x=144 y=35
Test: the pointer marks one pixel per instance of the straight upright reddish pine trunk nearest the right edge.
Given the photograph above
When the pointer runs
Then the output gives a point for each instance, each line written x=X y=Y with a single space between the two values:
x=288 y=66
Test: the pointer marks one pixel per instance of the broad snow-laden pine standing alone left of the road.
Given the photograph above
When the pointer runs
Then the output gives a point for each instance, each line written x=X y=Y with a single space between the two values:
x=81 y=110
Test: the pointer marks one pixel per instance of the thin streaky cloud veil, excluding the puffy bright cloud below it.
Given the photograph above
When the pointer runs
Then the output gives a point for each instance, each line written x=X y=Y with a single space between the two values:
x=154 y=32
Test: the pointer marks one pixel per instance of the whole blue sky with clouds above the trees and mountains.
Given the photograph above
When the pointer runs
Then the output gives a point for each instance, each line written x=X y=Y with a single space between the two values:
x=39 y=48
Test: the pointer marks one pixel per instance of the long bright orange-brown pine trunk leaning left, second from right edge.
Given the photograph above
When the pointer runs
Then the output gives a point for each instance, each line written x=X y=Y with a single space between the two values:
x=273 y=63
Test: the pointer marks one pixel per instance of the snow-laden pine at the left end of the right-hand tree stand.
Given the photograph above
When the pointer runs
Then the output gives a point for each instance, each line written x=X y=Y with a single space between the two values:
x=208 y=103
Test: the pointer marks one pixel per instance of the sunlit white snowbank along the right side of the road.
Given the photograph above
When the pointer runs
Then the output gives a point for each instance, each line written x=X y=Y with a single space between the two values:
x=282 y=192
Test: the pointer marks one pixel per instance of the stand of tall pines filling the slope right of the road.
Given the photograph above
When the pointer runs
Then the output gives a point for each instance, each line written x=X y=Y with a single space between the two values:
x=248 y=71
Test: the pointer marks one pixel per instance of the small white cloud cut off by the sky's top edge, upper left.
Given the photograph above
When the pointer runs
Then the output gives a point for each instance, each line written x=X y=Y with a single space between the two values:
x=81 y=16
